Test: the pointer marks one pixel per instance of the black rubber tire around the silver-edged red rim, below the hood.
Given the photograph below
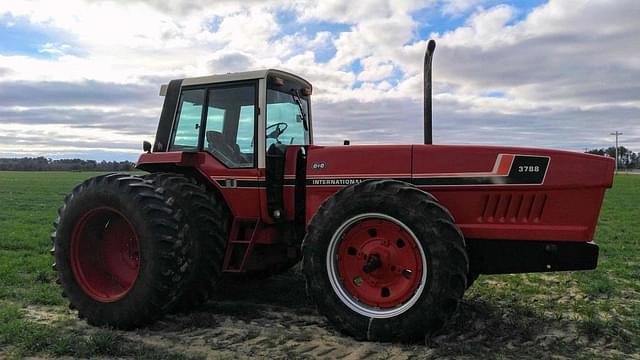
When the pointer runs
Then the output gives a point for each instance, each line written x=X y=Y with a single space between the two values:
x=444 y=255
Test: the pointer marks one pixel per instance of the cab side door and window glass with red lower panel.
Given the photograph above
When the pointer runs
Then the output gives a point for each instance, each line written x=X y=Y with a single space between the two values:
x=221 y=121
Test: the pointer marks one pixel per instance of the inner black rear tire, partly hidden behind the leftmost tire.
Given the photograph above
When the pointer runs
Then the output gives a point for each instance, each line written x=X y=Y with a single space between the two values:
x=209 y=225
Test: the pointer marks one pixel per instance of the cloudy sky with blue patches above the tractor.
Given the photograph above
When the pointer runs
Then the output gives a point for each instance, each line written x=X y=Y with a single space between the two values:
x=80 y=78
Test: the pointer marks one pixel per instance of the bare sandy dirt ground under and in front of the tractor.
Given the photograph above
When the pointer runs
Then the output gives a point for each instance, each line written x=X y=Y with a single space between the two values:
x=273 y=319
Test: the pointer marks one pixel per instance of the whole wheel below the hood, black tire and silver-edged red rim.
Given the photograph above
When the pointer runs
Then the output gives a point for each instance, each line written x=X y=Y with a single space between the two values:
x=384 y=261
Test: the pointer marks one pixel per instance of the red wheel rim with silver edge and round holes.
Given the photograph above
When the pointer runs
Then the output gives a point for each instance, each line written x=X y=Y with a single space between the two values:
x=378 y=263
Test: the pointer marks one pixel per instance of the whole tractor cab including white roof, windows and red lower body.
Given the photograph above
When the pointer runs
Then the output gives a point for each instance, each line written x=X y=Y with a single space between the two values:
x=238 y=128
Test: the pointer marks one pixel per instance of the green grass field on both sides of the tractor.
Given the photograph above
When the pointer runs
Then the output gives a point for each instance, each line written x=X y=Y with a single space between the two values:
x=576 y=315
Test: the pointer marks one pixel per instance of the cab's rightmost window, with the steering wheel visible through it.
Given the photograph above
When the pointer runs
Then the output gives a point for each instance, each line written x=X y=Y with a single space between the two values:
x=286 y=118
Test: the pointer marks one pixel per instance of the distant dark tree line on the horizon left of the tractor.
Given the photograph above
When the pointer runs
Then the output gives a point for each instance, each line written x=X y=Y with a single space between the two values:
x=45 y=164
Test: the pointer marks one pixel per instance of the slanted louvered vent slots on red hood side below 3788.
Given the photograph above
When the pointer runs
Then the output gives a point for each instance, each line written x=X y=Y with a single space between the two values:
x=513 y=208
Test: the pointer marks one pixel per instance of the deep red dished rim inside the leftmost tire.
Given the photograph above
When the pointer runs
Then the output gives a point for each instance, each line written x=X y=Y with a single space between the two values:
x=105 y=254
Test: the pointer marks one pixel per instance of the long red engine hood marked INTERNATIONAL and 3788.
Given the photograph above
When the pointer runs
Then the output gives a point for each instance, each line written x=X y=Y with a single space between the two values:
x=506 y=193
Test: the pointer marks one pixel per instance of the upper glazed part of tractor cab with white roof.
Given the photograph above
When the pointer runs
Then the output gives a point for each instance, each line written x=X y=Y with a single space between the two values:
x=236 y=118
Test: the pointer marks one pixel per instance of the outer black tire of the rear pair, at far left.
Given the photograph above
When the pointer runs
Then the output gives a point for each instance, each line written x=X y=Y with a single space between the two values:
x=161 y=249
